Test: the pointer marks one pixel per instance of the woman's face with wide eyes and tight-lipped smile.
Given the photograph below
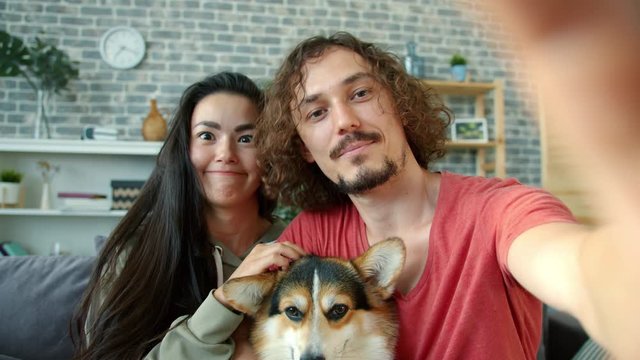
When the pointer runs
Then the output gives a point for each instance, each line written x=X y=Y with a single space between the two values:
x=222 y=149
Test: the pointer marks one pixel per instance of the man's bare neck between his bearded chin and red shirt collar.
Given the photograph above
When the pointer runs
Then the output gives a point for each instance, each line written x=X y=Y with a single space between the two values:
x=405 y=204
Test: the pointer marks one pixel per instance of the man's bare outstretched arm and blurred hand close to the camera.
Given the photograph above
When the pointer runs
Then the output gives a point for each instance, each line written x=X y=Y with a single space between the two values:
x=580 y=53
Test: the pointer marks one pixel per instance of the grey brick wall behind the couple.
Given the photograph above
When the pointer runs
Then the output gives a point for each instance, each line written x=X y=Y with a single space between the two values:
x=187 y=40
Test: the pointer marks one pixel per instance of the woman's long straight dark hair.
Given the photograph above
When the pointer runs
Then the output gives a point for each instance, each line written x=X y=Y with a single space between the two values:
x=168 y=271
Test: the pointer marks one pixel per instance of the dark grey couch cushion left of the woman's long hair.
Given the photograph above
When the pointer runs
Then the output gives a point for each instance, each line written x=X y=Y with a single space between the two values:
x=38 y=294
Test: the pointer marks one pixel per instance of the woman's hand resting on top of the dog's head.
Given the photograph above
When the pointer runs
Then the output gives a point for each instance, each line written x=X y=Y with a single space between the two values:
x=263 y=257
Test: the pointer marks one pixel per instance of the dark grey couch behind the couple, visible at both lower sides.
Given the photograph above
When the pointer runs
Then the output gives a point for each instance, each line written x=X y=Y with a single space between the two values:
x=39 y=293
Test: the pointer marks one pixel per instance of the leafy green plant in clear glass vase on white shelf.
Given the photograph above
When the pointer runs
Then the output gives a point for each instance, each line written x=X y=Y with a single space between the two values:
x=47 y=69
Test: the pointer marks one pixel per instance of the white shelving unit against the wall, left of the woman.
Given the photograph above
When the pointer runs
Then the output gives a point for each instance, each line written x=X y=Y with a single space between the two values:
x=85 y=166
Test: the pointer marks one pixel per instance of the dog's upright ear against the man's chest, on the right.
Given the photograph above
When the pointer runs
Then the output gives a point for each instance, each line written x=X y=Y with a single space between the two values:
x=382 y=264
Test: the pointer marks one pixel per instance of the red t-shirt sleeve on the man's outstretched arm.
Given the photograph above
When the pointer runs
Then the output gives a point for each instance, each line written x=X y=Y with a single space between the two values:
x=519 y=208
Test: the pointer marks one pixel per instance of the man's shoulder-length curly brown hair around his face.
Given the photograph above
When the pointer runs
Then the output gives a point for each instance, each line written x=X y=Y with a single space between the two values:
x=301 y=184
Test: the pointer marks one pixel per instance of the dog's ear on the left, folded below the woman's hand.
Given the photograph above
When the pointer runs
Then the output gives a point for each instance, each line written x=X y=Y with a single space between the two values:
x=247 y=293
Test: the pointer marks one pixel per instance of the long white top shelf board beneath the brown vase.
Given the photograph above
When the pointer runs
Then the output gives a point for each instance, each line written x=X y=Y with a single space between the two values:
x=88 y=147
